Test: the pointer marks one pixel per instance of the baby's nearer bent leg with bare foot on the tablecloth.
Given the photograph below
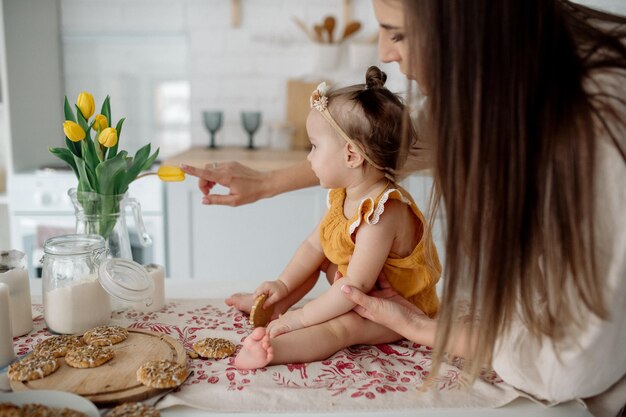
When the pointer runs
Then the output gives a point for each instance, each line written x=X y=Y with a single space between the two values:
x=316 y=342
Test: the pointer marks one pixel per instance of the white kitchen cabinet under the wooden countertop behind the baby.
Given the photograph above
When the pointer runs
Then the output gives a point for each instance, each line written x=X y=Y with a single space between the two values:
x=252 y=243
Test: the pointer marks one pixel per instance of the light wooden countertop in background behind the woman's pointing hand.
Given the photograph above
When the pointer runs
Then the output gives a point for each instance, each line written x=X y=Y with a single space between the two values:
x=261 y=158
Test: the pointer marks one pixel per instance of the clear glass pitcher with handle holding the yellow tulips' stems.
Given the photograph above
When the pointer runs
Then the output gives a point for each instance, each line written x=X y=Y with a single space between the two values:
x=105 y=215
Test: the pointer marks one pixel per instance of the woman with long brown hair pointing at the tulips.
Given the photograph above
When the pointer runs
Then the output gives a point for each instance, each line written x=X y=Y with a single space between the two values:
x=524 y=126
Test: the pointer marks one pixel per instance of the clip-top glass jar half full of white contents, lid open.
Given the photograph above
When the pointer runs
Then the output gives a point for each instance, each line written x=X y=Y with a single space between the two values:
x=80 y=284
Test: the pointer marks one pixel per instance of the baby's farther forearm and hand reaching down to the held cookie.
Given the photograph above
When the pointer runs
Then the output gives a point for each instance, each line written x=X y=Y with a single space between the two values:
x=306 y=261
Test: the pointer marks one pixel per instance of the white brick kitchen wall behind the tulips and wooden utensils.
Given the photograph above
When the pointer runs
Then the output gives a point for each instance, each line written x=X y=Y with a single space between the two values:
x=232 y=69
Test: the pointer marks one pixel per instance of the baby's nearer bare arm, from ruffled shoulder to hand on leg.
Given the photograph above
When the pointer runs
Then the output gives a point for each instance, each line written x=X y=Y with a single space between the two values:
x=372 y=246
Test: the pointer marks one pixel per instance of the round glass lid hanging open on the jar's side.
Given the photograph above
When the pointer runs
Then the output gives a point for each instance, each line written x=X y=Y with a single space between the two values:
x=126 y=280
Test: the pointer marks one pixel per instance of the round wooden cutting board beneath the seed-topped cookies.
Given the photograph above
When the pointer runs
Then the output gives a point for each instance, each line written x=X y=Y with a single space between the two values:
x=114 y=382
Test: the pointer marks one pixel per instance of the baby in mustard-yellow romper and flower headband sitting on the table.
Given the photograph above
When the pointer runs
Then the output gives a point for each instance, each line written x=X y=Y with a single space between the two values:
x=372 y=225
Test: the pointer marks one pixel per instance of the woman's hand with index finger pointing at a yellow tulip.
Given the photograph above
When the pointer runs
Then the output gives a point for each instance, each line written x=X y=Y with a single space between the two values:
x=245 y=185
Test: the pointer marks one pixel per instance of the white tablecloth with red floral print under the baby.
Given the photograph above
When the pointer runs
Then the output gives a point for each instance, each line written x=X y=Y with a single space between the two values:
x=373 y=378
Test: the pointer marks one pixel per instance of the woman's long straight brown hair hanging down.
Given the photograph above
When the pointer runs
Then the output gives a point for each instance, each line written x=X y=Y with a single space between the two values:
x=515 y=125
